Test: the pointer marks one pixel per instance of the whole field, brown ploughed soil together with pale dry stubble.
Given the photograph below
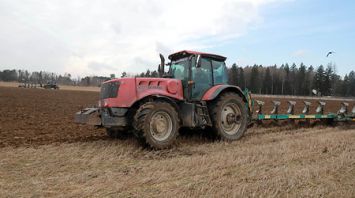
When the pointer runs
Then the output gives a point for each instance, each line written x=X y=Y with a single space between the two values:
x=44 y=154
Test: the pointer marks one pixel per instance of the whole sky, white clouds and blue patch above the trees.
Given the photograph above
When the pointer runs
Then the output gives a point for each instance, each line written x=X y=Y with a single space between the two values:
x=95 y=37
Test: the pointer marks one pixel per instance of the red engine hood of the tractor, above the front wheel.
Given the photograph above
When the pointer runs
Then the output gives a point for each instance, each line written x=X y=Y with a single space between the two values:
x=132 y=90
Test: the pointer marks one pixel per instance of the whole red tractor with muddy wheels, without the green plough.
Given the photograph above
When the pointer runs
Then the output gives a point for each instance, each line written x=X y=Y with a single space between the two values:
x=193 y=93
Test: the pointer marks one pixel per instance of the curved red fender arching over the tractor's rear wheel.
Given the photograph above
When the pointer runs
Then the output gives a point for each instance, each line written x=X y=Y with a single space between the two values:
x=216 y=90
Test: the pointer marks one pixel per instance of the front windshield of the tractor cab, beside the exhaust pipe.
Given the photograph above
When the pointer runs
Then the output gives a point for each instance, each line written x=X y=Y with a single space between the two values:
x=179 y=68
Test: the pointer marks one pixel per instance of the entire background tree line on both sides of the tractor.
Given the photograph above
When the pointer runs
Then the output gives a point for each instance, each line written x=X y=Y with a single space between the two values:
x=285 y=79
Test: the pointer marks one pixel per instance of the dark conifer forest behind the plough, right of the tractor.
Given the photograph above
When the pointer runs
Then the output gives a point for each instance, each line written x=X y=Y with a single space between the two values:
x=288 y=79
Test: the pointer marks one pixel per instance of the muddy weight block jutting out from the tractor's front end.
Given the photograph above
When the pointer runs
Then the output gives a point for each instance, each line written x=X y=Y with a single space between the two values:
x=90 y=116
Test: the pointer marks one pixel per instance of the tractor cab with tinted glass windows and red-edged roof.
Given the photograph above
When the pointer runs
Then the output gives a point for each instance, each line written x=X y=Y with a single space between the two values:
x=197 y=71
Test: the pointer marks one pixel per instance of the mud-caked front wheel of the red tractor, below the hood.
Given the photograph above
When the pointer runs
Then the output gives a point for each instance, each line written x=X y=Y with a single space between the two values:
x=156 y=124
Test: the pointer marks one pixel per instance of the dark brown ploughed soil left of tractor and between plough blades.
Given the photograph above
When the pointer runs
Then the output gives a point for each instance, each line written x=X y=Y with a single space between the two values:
x=32 y=117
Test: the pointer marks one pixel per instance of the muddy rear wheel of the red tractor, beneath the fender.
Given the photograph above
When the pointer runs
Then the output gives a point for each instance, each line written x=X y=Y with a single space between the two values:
x=229 y=117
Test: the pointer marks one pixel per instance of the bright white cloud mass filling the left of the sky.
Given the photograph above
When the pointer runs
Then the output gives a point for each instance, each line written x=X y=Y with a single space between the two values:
x=102 y=37
